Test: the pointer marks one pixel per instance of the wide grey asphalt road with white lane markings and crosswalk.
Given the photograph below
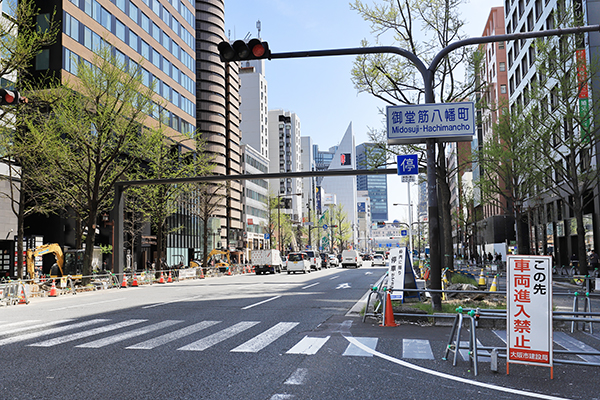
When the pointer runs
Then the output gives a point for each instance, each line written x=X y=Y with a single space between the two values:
x=251 y=337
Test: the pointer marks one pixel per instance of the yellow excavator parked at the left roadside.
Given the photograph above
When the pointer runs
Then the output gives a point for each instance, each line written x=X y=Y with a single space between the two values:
x=74 y=261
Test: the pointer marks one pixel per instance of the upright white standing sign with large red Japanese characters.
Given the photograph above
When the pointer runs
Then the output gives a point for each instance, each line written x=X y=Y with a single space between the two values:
x=529 y=310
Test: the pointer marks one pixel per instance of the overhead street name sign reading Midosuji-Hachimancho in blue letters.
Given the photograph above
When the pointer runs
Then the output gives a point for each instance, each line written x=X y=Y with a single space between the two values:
x=444 y=121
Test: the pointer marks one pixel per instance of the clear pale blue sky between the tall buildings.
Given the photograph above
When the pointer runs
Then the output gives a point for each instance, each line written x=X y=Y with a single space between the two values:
x=320 y=90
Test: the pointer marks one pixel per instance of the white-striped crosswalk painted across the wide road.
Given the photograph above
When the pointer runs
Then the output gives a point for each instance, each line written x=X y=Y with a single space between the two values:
x=101 y=332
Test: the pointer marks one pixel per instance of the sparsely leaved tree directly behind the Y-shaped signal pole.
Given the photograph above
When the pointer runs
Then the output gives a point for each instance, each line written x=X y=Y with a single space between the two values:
x=395 y=80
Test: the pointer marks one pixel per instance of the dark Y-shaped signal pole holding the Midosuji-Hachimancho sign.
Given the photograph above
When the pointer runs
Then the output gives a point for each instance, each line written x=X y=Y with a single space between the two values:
x=428 y=75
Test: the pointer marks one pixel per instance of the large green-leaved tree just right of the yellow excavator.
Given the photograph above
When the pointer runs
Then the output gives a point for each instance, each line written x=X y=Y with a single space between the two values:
x=93 y=136
